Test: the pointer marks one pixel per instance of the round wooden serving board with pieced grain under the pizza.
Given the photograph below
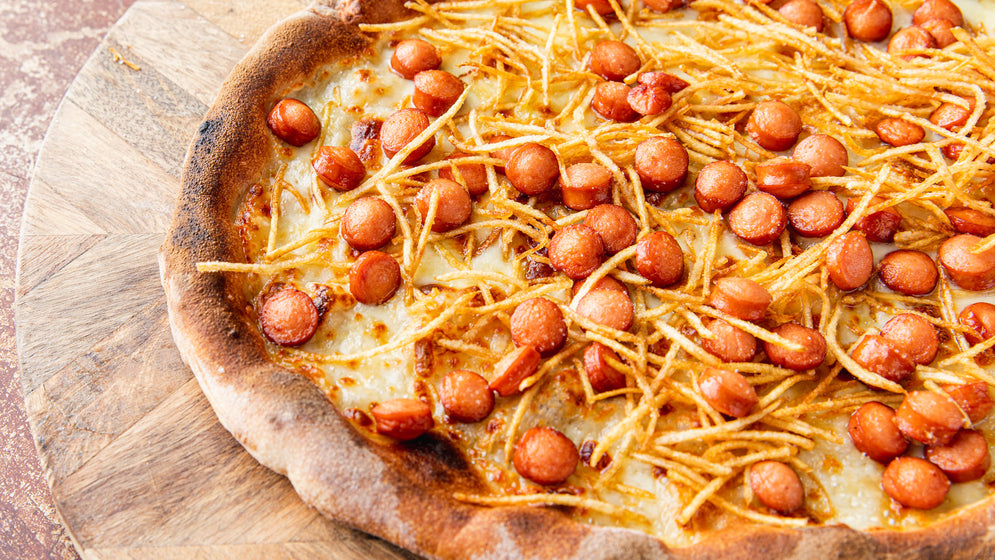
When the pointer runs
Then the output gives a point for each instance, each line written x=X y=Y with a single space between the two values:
x=138 y=464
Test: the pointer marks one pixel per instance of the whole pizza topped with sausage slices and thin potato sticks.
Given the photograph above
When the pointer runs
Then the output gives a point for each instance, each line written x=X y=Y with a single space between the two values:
x=602 y=279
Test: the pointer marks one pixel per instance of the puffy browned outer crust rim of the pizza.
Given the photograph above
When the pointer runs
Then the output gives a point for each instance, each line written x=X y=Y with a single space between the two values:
x=401 y=492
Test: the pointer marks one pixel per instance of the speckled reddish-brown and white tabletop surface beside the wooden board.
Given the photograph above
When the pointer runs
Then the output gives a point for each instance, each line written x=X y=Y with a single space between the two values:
x=43 y=44
